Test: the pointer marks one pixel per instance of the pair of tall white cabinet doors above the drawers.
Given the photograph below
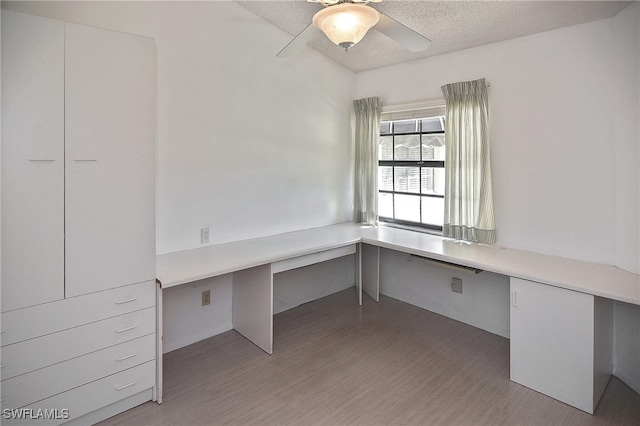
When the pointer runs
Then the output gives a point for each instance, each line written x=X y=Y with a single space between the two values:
x=78 y=163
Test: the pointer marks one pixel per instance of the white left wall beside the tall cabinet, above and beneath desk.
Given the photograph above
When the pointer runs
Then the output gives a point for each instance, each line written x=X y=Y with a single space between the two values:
x=247 y=144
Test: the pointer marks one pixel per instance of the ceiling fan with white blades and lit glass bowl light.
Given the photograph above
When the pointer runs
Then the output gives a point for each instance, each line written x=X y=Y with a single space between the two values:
x=345 y=23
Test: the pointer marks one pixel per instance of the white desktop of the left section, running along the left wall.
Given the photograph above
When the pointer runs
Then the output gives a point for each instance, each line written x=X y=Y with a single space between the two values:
x=191 y=265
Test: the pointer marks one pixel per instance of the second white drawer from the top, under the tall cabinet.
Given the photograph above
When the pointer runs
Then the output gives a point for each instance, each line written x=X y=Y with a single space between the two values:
x=37 y=353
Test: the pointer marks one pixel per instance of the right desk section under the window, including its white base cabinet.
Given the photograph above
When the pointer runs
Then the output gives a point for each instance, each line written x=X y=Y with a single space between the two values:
x=561 y=313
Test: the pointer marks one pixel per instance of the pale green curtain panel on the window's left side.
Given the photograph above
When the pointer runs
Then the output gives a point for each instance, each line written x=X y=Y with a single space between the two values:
x=367 y=133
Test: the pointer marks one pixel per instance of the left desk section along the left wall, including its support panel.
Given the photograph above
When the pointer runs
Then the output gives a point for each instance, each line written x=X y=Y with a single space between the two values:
x=253 y=263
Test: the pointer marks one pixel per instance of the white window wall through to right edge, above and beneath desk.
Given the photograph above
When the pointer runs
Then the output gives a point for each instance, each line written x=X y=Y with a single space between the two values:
x=564 y=137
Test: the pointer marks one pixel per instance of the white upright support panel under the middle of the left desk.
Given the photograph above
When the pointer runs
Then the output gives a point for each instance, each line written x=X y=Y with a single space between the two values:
x=252 y=310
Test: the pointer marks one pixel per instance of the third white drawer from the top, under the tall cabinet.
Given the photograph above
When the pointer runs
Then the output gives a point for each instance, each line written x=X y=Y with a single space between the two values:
x=46 y=382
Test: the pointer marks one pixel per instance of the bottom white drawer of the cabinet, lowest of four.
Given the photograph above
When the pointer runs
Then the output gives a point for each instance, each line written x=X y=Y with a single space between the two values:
x=85 y=399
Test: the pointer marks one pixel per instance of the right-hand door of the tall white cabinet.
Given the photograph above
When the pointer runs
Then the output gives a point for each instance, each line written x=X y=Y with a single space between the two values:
x=110 y=164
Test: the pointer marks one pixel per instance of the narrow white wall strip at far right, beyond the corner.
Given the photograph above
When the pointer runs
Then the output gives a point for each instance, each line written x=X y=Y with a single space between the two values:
x=626 y=336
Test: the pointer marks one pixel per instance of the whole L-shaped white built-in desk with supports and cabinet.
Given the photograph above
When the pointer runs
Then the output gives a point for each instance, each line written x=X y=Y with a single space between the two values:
x=561 y=309
